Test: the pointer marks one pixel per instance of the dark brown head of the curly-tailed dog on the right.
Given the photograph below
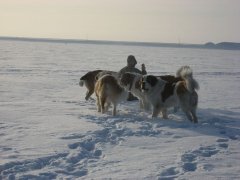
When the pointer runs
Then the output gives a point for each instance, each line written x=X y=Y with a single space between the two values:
x=148 y=82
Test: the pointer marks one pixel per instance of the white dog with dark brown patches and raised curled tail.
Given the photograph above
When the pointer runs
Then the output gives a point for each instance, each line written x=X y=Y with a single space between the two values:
x=162 y=94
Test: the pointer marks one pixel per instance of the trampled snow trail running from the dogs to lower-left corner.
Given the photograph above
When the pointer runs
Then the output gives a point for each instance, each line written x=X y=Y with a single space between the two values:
x=82 y=149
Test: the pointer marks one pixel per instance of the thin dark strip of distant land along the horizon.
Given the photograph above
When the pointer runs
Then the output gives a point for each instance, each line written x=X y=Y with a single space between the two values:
x=209 y=45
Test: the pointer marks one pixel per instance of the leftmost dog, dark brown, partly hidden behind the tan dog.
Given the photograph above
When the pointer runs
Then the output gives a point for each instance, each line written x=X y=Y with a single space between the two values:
x=90 y=78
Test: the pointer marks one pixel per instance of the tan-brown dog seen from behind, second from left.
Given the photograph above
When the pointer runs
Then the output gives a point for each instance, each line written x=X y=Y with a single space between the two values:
x=108 y=91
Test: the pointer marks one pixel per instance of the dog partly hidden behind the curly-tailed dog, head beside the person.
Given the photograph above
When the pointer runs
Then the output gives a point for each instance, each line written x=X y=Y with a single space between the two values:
x=132 y=83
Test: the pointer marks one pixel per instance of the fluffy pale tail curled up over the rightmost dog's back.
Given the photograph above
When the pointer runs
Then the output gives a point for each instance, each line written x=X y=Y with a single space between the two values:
x=186 y=73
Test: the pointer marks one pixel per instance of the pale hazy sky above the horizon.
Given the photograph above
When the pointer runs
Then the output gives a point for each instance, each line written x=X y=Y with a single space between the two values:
x=174 y=21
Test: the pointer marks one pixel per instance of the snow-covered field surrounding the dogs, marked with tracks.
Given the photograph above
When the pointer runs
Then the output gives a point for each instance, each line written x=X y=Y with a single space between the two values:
x=49 y=131
